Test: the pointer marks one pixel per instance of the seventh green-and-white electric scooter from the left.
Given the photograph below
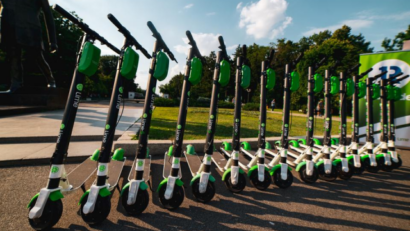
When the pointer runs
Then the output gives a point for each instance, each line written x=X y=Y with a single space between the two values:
x=258 y=174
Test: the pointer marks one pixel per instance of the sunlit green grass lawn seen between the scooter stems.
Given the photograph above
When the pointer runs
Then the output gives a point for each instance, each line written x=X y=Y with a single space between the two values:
x=164 y=122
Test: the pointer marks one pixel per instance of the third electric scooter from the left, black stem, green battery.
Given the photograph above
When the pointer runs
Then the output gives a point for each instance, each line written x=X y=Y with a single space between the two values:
x=134 y=195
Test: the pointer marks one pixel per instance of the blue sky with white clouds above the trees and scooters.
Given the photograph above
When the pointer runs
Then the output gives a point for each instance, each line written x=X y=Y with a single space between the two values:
x=238 y=21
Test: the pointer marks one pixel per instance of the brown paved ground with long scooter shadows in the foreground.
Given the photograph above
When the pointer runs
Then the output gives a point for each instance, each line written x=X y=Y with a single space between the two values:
x=368 y=202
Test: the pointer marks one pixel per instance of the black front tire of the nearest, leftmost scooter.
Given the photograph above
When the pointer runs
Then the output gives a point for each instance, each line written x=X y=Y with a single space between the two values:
x=51 y=215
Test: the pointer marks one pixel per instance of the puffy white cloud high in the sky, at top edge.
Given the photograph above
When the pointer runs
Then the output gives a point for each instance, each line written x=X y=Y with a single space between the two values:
x=265 y=18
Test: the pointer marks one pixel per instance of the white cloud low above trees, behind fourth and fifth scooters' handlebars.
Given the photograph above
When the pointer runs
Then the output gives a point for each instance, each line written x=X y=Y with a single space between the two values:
x=206 y=42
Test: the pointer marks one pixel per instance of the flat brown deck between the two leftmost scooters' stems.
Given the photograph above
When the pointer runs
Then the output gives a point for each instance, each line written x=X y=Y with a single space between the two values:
x=81 y=173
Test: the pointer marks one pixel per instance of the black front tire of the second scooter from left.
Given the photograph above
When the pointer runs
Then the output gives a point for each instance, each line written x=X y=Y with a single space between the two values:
x=101 y=210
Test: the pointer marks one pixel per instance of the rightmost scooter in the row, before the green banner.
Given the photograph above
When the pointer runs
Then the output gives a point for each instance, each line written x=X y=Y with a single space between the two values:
x=383 y=158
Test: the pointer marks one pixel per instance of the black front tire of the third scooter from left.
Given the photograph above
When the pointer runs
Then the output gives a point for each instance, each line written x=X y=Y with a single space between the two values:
x=141 y=203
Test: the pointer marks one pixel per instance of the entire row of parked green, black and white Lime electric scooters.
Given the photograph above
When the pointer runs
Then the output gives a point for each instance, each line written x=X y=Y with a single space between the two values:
x=236 y=161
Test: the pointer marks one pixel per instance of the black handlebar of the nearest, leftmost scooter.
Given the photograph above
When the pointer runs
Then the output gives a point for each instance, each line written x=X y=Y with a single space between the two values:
x=84 y=27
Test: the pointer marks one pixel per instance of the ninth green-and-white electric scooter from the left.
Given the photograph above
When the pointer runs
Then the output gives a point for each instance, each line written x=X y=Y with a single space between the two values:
x=303 y=162
